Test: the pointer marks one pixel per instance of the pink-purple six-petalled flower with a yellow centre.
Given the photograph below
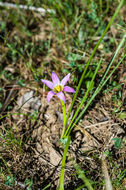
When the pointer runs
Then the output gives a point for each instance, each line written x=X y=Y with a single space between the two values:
x=57 y=87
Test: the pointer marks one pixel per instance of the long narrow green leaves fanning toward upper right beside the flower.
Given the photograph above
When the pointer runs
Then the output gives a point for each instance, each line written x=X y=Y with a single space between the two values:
x=101 y=84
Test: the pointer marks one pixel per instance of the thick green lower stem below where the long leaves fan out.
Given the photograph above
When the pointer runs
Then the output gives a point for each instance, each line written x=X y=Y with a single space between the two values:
x=63 y=164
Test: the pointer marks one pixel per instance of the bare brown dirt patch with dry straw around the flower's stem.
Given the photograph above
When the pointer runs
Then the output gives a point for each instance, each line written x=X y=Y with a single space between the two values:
x=40 y=158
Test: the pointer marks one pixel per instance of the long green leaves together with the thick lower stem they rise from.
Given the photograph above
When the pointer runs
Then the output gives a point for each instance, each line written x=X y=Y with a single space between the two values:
x=103 y=81
